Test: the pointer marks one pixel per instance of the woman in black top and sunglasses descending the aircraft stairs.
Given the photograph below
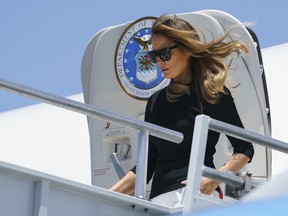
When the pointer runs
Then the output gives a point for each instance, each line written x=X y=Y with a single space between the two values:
x=198 y=73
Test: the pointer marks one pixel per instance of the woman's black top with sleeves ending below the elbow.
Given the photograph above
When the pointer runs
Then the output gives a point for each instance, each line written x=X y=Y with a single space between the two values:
x=169 y=162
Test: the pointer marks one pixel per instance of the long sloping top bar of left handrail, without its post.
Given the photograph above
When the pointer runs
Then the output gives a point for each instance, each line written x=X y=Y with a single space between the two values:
x=92 y=111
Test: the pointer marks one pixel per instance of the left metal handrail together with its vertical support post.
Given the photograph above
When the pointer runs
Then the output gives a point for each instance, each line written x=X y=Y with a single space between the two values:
x=145 y=129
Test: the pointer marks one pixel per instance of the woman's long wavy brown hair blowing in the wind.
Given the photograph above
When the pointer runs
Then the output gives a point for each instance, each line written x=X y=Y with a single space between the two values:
x=208 y=68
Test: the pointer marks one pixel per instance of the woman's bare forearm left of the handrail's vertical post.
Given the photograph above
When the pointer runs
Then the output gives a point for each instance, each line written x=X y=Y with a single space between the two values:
x=126 y=185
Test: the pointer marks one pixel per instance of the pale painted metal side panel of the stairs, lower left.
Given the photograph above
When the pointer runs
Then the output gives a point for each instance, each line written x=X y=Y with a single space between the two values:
x=26 y=192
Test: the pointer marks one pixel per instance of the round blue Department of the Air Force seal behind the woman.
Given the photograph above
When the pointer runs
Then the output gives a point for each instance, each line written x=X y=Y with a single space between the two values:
x=137 y=75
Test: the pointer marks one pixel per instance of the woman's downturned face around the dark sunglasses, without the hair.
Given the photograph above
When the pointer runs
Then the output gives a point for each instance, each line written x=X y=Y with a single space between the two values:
x=178 y=67
